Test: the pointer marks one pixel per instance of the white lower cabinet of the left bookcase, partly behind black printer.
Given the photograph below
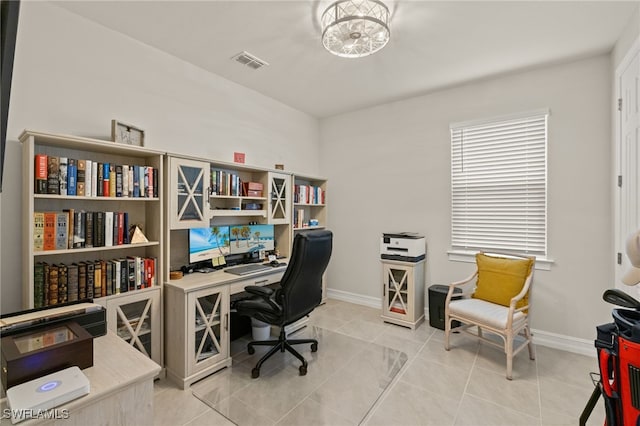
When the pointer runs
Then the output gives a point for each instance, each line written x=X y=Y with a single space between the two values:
x=136 y=318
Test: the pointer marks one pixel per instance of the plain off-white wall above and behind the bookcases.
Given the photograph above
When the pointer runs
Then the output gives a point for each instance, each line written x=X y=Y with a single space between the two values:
x=72 y=76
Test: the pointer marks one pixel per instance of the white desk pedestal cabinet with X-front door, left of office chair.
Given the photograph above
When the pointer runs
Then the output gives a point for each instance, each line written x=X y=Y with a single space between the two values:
x=197 y=323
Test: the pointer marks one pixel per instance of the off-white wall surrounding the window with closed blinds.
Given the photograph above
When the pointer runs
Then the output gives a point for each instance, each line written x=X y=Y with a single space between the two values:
x=389 y=171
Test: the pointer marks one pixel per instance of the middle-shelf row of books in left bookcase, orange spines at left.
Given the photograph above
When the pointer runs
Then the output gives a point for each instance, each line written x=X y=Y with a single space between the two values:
x=71 y=229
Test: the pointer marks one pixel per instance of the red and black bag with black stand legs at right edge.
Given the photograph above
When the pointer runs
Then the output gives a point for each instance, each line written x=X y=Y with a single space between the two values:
x=618 y=346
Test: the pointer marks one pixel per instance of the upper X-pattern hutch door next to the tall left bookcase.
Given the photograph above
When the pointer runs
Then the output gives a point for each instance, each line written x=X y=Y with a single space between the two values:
x=189 y=191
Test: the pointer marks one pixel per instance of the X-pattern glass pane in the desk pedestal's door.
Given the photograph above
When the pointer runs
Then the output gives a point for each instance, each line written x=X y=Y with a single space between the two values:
x=208 y=327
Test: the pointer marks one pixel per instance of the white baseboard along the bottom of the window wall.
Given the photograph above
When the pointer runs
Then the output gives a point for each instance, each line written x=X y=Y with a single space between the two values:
x=542 y=338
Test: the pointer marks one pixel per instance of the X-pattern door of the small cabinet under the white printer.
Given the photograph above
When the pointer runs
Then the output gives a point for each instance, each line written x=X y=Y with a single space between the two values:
x=398 y=292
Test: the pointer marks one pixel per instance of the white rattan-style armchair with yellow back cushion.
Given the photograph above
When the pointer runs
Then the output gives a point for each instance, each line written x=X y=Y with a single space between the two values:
x=497 y=303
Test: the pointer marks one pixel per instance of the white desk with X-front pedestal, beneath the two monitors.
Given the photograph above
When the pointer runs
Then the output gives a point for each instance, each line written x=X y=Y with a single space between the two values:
x=197 y=337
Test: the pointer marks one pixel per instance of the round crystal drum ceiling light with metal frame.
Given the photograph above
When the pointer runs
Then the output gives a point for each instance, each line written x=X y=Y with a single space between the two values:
x=355 y=28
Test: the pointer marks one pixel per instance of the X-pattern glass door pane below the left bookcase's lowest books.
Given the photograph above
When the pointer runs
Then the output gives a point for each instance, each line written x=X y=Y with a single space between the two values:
x=133 y=324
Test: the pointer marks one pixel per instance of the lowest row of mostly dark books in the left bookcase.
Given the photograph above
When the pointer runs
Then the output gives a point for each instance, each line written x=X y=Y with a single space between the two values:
x=59 y=283
